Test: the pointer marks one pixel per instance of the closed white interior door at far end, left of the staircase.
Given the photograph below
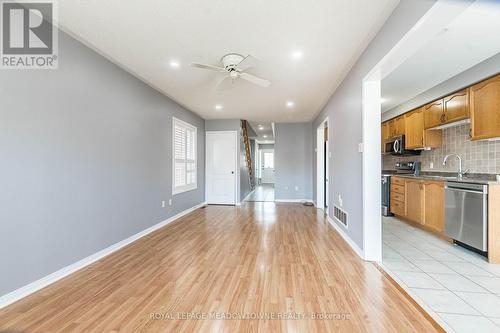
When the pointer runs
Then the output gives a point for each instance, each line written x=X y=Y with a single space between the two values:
x=221 y=167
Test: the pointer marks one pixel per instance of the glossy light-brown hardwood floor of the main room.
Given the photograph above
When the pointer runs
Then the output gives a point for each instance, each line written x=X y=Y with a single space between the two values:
x=262 y=258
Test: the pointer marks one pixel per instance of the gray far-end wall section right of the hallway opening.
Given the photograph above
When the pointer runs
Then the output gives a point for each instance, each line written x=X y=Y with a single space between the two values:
x=293 y=161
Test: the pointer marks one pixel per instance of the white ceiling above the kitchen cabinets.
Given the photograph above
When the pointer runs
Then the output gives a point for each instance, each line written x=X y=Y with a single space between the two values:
x=470 y=39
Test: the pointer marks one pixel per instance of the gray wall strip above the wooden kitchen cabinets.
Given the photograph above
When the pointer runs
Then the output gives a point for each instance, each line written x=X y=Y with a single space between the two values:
x=479 y=72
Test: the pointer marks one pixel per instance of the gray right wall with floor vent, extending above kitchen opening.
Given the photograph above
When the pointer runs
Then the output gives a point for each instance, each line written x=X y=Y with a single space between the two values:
x=345 y=122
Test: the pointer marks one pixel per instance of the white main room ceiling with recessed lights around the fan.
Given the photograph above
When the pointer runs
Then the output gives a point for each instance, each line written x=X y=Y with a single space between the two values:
x=145 y=36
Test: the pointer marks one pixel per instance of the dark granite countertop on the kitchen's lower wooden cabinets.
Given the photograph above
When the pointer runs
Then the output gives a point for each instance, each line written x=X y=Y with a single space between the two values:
x=476 y=178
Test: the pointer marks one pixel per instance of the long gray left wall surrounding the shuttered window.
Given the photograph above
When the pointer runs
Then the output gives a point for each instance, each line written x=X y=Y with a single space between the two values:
x=85 y=162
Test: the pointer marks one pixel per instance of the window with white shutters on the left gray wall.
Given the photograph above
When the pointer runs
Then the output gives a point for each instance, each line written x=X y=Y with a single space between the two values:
x=184 y=156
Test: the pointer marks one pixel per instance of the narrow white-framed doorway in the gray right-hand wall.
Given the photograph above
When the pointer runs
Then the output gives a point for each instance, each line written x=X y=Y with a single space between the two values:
x=322 y=151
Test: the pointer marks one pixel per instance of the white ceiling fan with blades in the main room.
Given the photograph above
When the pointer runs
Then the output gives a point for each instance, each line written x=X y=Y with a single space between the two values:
x=234 y=66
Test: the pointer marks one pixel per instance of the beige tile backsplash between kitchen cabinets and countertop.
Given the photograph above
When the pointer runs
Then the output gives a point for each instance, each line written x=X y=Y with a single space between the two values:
x=477 y=156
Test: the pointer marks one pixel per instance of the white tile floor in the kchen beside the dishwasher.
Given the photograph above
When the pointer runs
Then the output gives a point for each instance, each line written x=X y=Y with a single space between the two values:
x=459 y=288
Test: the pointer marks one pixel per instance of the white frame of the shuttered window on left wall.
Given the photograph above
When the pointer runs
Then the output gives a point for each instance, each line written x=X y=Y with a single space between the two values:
x=188 y=127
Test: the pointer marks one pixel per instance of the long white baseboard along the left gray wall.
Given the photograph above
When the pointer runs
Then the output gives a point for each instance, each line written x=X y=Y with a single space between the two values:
x=65 y=271
